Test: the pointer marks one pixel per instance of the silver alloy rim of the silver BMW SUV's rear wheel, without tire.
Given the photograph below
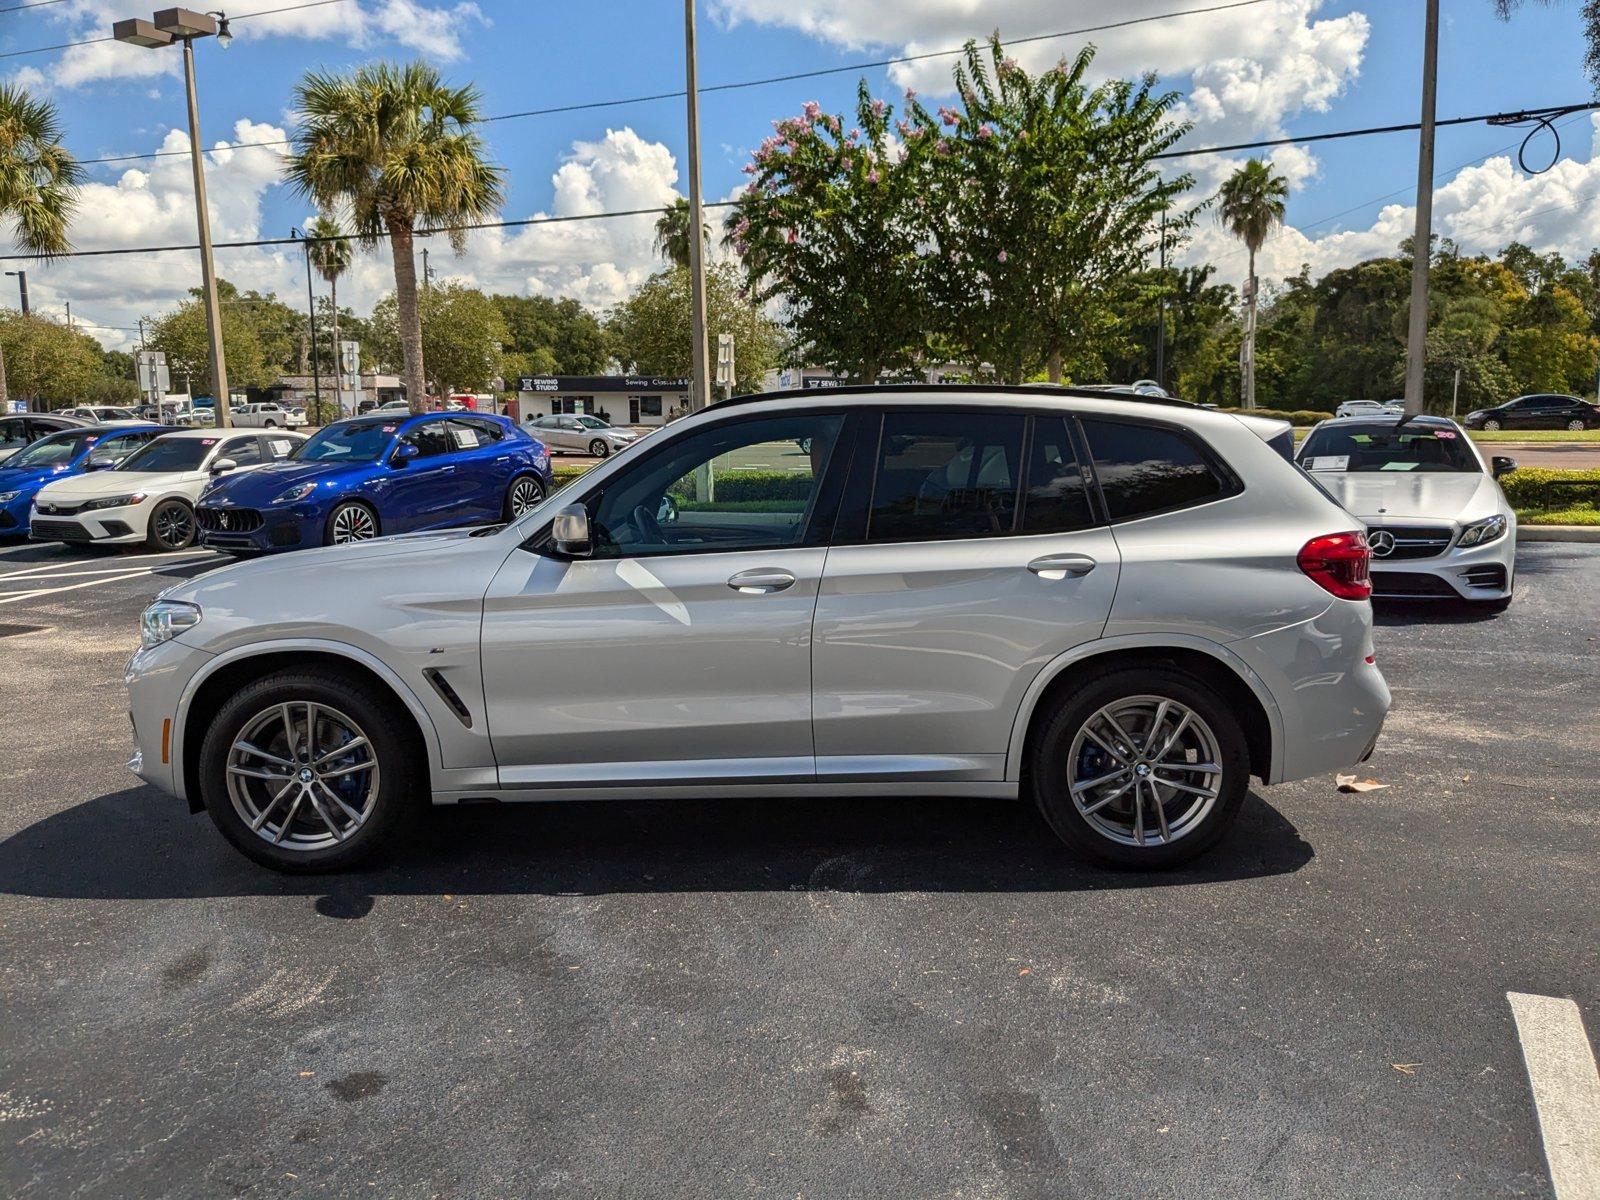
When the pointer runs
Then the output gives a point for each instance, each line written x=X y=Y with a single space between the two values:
x=1145 y=770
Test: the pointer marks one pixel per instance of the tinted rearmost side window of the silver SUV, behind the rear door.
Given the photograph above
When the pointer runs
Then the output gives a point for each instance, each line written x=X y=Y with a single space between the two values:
x=1148 y=470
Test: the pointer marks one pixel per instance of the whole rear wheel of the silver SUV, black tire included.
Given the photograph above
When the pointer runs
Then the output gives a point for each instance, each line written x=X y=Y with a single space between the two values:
x=1111 y=831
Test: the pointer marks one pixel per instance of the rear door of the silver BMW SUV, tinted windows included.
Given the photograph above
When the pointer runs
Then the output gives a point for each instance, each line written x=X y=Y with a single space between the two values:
x=970 y=553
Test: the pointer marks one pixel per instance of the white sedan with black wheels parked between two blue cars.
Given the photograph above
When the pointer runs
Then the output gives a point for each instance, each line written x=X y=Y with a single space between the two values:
x=151 y=497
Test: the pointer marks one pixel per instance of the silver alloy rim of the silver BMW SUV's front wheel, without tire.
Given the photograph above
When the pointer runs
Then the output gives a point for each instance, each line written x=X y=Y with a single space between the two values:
x=303 y=777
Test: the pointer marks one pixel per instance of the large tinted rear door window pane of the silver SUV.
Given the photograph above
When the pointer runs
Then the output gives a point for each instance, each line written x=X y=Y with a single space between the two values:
x=946 y=476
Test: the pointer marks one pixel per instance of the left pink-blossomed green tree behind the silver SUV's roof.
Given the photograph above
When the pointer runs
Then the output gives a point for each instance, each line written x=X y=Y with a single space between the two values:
x=833 y=225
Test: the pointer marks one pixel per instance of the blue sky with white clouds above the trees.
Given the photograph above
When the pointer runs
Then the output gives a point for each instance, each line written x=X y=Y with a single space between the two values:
x=1274 y=68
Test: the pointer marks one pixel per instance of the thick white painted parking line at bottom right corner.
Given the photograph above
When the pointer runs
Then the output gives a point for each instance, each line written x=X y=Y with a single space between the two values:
x=1566 y=1090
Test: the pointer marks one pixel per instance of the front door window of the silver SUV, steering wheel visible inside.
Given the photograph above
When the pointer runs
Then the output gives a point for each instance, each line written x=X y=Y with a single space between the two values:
x=748 y=486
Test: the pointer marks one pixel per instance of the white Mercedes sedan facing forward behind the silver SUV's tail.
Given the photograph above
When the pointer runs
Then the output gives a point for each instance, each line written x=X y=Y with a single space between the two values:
x=1438 y=522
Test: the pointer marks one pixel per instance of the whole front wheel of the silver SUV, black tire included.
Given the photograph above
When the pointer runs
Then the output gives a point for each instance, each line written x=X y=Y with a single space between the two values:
x=319 y=833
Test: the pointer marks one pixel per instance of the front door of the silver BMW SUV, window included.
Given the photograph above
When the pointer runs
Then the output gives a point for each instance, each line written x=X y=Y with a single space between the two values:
x=681 y=649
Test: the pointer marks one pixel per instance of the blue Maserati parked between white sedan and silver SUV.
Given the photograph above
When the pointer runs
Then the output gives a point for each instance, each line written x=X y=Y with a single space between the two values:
x=374 y=476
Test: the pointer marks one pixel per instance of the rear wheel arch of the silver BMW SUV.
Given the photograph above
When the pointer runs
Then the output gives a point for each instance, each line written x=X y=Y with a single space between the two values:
x=1212 y=662
